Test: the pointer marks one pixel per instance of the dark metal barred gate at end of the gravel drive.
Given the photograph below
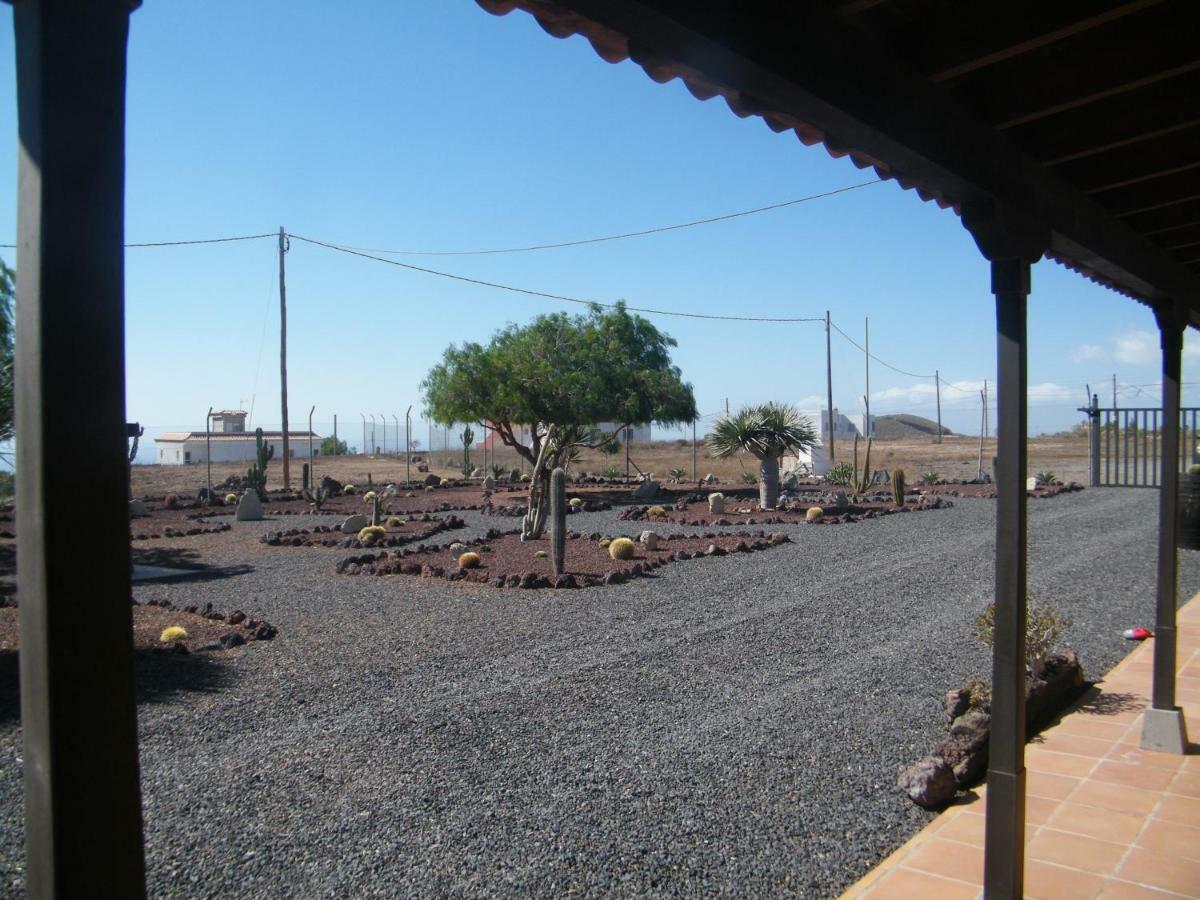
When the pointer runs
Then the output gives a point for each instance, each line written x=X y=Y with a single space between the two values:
x=1125 y=446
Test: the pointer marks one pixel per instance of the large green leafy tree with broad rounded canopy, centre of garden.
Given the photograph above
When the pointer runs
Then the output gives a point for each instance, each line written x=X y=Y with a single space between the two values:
x=557 y=379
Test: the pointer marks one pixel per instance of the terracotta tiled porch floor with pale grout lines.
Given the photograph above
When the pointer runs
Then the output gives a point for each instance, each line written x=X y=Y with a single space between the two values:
x=1105 y=819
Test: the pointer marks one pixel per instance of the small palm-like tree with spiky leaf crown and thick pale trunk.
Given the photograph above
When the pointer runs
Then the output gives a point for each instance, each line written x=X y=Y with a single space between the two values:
x=766 y=433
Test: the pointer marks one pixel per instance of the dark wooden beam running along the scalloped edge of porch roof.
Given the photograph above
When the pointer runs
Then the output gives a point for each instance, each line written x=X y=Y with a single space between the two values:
x=802 y=64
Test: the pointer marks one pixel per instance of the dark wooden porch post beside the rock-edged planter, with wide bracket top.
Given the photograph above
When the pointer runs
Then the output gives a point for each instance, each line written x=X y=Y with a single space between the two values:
x=1012 y=245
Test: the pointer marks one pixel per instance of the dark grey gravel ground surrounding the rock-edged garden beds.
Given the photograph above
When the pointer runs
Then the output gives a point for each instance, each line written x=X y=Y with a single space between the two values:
x=729 y=727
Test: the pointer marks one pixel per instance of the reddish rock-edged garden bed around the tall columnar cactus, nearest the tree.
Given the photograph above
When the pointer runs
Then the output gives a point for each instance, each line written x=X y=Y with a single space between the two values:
x=506 y=561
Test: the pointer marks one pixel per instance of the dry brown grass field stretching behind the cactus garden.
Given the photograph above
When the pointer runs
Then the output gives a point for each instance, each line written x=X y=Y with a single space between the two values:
x=956 y=458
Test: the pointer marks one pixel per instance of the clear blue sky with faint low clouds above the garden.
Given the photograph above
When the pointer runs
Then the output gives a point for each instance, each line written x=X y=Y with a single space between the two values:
x=433 y=125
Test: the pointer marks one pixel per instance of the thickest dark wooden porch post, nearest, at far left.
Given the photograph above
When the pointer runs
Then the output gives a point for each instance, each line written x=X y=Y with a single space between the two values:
x=83 y=807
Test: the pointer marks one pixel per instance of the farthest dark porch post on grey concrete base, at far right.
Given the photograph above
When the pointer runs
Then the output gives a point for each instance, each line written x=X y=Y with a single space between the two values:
x=1165 y=729
